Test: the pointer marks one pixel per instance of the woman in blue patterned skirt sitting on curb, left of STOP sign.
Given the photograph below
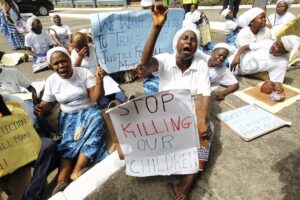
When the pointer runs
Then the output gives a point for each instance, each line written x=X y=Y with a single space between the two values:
x=80 y=121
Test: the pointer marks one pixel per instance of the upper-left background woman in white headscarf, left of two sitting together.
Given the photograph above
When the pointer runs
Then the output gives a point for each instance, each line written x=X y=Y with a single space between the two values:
x=37 y=41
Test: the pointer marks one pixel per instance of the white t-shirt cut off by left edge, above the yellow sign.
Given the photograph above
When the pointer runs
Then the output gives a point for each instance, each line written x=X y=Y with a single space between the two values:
x=12 y=81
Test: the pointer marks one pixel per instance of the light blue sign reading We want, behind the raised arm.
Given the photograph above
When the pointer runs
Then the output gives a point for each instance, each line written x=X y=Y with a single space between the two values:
x=120 y=37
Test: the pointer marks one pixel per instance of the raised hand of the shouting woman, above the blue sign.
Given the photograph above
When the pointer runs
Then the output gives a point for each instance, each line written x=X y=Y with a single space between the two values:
x=159 y=14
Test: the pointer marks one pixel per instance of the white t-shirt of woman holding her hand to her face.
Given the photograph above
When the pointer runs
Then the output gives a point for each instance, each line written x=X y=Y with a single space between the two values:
x=88 y=62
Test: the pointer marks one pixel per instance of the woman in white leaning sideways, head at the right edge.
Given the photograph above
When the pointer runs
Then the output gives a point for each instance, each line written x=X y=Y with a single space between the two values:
x=267 y=56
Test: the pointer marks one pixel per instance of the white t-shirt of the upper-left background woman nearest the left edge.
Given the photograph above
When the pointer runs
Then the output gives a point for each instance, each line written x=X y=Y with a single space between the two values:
x=39 y=43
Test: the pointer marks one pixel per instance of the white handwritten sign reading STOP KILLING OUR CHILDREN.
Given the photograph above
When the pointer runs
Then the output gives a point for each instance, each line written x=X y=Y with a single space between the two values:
x=157 y=134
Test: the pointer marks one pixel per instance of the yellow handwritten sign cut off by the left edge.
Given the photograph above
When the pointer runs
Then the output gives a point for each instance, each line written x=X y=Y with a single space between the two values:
x=19 y=142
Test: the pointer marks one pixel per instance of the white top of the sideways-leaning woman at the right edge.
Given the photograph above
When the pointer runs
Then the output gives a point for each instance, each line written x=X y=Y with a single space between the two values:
x=259 y=60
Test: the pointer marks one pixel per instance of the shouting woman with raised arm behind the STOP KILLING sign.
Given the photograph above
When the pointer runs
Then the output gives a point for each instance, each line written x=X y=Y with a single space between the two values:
x=182 y=69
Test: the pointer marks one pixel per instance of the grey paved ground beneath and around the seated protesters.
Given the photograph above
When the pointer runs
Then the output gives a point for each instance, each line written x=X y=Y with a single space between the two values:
x=265 y=168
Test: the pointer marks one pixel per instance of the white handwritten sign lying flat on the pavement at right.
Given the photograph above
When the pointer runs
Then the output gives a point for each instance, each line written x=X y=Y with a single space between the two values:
x=251 y=121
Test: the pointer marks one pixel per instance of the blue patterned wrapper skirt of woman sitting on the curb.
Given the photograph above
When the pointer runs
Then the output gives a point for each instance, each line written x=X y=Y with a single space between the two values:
x=82 y=132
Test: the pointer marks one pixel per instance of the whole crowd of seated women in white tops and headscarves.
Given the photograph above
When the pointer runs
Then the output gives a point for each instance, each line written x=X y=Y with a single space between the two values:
x=251 y=46
